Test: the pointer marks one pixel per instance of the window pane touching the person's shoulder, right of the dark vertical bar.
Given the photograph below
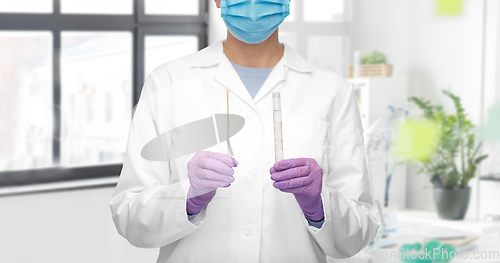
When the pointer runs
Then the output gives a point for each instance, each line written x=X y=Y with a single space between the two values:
x=161 y=49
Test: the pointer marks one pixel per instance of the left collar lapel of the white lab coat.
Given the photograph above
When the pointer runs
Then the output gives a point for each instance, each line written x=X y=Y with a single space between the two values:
x=227 y=76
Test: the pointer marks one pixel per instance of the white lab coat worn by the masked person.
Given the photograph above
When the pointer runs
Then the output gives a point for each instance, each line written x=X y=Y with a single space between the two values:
x=250 y=221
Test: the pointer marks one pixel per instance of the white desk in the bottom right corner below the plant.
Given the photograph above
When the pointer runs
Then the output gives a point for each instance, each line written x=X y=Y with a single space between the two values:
x=415 y=227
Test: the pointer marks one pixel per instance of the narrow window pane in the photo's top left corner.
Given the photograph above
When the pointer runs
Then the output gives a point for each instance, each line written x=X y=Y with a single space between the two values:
x=26 y=6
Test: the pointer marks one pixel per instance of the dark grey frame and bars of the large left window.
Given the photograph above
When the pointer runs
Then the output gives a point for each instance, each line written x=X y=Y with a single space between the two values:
x=139 y=25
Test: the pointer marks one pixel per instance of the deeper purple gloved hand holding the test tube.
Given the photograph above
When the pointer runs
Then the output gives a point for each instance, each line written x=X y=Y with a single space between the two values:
x=303 y=177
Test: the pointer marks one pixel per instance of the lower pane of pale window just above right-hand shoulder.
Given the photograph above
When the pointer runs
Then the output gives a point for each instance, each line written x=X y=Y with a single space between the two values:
x=330 y=52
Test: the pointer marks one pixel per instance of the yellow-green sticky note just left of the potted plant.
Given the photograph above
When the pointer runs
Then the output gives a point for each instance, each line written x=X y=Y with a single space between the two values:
x=415 y=140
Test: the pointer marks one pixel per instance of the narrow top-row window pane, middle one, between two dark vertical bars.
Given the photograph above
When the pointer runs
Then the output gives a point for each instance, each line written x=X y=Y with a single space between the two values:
x=97 y=7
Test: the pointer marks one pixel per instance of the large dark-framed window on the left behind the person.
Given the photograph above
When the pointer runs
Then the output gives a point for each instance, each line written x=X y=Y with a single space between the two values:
x=71 y=72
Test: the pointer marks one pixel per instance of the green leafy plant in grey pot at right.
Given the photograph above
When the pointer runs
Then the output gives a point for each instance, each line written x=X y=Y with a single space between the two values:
x=454 y=160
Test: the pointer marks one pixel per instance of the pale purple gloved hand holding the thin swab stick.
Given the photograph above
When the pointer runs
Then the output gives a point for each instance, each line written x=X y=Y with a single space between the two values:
x=207 y=171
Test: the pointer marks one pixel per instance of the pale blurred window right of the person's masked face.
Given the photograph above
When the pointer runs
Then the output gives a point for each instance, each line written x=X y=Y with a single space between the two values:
x=319 y=31
